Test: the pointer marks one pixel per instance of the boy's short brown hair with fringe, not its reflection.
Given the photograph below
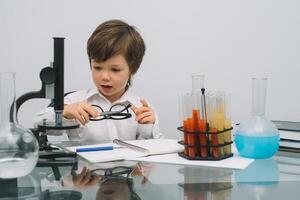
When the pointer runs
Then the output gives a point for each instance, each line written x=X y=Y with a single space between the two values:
x=116 y=37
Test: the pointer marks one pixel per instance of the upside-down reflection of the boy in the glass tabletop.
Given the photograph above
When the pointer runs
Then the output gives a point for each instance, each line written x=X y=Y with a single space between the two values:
x=111 y=183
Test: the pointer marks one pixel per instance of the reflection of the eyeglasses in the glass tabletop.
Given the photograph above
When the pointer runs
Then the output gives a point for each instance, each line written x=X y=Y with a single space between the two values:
x=113 y=172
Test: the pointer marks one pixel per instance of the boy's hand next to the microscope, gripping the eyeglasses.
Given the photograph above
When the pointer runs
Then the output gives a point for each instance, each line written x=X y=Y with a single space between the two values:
x=80 y=111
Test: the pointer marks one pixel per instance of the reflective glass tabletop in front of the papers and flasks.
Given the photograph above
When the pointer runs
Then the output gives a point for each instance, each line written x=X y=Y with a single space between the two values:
x=276 y=178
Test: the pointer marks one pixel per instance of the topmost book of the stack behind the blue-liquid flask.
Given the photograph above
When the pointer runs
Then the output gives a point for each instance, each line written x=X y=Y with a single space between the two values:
x=288 y=130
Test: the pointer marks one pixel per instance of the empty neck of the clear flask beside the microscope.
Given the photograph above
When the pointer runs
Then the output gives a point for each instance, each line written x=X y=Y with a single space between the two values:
x=7 y=97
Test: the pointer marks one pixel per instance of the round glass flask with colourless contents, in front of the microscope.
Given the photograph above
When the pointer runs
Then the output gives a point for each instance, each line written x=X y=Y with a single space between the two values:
x=18 y=147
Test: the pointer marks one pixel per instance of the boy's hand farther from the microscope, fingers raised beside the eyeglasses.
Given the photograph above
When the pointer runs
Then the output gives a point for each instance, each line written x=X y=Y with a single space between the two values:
x=144 y=114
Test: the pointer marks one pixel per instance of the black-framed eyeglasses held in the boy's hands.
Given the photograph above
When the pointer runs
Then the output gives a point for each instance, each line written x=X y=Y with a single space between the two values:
x=117 y=111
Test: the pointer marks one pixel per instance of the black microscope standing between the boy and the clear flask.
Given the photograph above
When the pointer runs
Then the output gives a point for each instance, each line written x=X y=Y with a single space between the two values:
x=52 y=79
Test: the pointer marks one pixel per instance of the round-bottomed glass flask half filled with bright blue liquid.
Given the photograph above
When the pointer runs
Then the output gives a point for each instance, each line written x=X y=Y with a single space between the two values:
x=257 y=137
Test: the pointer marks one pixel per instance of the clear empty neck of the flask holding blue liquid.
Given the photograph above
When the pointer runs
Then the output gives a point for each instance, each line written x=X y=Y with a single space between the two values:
x=259 y=87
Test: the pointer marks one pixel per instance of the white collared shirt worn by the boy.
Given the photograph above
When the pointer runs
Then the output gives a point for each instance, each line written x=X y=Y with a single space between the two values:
x=107 y=129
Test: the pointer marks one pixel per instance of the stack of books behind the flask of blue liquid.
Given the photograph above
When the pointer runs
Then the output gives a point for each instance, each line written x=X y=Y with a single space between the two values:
x=289 y=135
